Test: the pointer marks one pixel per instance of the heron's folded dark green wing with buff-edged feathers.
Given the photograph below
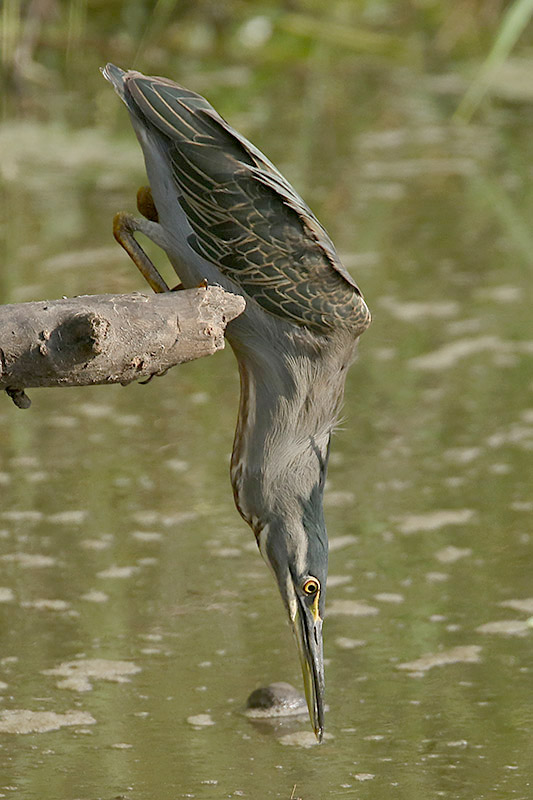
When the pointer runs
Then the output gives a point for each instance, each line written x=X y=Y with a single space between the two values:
x=246 y=218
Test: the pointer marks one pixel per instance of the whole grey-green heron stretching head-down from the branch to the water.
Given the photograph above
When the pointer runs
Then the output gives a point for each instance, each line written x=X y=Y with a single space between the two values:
x=225 y=215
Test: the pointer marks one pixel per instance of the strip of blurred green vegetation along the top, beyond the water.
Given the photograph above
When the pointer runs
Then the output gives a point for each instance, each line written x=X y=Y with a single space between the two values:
x=49 y=47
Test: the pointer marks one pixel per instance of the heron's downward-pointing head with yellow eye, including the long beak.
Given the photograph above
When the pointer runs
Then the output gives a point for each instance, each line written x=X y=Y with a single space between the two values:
x=297 y=553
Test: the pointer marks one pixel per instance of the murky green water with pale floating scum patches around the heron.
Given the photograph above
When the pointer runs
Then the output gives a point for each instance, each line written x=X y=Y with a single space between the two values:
x=121 y=550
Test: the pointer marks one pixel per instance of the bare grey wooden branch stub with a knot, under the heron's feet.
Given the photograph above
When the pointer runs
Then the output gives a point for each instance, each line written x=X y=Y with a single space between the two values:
x=98 y=339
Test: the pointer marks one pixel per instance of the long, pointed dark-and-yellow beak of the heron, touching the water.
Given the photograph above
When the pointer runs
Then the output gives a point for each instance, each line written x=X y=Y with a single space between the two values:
x=307 y=627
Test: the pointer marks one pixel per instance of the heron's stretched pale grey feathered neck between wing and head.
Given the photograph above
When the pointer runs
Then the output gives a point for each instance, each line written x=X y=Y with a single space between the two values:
x=289 y=403
